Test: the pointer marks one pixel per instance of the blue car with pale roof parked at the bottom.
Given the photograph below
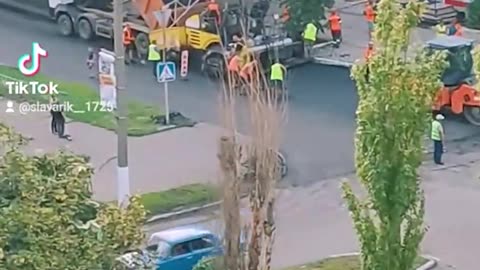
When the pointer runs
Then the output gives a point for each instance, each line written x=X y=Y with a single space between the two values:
x=183 y=248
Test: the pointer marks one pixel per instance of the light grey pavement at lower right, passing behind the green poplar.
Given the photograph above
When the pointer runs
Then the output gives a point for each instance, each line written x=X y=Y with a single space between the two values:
x=313 y=222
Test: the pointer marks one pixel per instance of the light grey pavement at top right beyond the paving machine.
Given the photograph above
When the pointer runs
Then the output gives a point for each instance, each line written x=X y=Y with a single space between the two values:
x=355 y=38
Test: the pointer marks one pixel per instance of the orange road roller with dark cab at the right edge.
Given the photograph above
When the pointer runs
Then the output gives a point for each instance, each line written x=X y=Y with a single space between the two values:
x=458 y=92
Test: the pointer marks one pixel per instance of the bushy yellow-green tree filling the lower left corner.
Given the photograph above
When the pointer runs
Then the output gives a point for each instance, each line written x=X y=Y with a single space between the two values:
x=48 y=220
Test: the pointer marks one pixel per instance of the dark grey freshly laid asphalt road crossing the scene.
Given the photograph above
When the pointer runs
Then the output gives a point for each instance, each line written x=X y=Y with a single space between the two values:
x=318 y=139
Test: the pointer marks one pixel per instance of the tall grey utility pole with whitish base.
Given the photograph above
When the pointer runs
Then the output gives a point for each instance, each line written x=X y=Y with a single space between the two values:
x=123 y=179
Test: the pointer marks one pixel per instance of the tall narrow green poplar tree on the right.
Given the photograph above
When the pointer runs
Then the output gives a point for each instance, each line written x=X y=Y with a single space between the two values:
x=395 y=98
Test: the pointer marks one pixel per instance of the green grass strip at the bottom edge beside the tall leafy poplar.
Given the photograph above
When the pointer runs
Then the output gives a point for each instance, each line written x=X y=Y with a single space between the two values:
x=341 y=263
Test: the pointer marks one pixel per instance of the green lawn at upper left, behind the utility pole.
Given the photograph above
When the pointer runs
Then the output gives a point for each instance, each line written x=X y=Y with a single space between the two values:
x=139 y=114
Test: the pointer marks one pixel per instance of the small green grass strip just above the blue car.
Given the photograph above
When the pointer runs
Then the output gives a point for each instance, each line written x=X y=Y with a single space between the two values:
x=177 y=198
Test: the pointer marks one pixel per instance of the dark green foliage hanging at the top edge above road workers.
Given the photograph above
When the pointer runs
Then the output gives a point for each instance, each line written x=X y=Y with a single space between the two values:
x=303 y=12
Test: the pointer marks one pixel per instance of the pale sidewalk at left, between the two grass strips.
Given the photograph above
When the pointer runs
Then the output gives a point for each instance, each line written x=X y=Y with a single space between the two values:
x=157 y=162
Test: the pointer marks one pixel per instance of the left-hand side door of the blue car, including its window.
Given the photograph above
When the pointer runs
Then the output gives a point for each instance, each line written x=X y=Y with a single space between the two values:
x=180 y=258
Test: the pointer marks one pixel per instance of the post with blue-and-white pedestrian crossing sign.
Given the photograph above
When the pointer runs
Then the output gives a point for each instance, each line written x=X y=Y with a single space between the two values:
x=165 y=72
